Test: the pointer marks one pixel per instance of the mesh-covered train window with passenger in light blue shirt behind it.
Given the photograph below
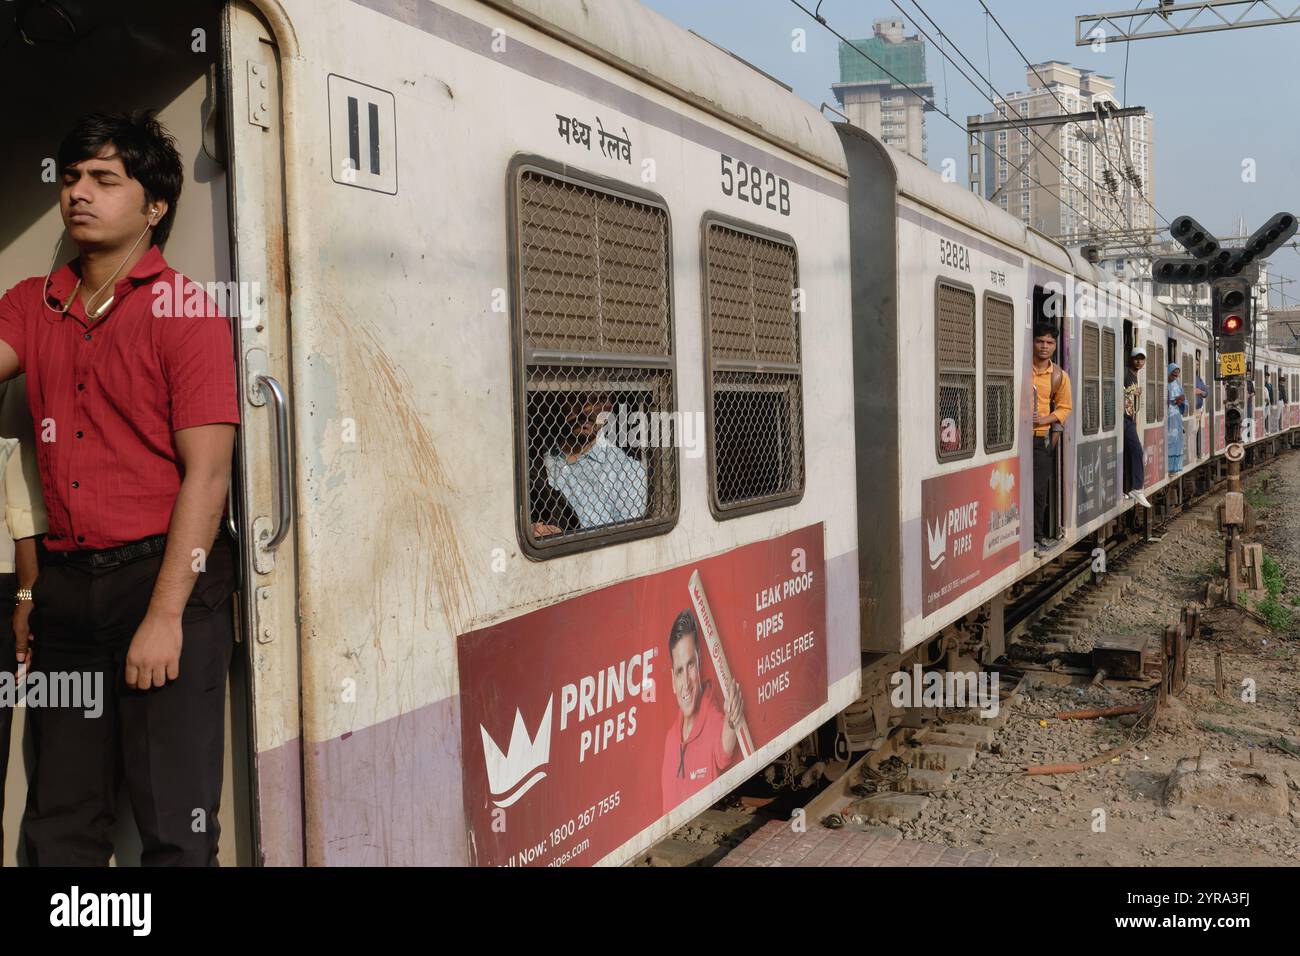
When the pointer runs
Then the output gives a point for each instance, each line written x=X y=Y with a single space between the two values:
x=597 y=460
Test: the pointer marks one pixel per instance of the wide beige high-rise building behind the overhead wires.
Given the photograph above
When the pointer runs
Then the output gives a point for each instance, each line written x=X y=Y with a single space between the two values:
x=1094 y=174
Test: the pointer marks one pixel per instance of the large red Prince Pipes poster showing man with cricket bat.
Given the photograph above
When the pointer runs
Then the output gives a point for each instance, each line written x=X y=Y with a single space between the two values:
x=587 y=721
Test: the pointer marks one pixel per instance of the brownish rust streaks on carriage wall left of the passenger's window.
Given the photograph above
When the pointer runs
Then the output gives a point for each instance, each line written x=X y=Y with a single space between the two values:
x=413 y=491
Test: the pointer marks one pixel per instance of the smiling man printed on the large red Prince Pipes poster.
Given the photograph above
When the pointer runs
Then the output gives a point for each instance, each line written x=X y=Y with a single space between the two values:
x=701 y=742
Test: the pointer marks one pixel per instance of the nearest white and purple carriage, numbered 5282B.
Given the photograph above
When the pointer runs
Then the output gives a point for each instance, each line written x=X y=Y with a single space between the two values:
x=551 y=373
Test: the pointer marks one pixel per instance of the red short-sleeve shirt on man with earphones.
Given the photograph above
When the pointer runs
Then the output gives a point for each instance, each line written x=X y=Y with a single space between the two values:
x=107 y=397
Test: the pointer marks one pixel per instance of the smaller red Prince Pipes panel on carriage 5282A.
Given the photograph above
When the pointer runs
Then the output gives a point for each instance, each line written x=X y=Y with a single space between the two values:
x=972 y=530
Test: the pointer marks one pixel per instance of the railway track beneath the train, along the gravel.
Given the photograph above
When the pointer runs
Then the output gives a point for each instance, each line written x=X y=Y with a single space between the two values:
x=1059 y=602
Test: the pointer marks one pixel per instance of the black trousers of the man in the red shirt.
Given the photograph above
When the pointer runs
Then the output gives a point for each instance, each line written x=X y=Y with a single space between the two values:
x=167 y=742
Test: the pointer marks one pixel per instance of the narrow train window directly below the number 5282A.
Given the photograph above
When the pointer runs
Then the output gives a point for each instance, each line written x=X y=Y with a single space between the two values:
x=955 y=339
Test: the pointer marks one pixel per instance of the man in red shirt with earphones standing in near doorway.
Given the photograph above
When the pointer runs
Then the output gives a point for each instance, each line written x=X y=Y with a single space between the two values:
x=136 y=409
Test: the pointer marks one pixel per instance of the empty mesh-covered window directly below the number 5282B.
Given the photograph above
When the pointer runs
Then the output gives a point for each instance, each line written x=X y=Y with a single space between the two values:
x=755 y=378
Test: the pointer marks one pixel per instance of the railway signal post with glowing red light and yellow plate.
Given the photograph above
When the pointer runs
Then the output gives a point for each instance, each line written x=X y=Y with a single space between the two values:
x=1233 y=323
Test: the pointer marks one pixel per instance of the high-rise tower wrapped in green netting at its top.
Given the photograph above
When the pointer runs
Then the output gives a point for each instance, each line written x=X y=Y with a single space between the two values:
x=874 y=101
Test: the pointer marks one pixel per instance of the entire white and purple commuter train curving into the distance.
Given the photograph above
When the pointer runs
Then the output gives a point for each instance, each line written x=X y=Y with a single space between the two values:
x=590 y=378
